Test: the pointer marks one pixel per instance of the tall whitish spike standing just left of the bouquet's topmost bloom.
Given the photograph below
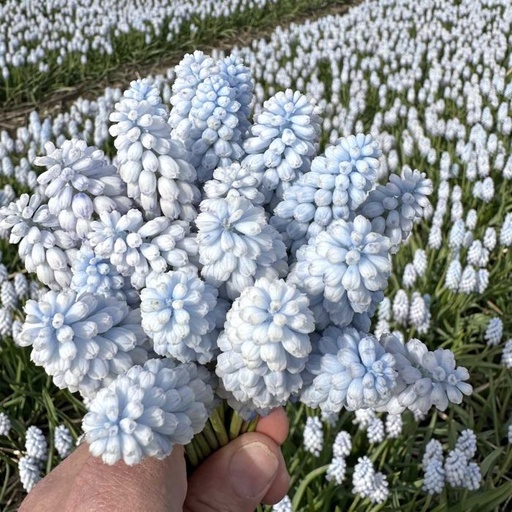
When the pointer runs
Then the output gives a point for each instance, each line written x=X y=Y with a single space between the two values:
x=156 y=168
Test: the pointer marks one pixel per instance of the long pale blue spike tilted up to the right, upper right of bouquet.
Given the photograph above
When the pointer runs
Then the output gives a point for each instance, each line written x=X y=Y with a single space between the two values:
x=335 y=186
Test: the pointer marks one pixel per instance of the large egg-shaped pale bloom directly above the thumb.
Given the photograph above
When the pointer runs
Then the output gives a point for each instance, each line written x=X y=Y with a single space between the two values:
x=265 y=344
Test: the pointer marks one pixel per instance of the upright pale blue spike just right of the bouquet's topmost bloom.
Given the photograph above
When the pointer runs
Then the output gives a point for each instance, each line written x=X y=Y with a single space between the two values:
x=282 y=141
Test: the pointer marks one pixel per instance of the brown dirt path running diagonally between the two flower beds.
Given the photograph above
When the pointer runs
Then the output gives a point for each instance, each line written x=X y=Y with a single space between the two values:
x=60 y=100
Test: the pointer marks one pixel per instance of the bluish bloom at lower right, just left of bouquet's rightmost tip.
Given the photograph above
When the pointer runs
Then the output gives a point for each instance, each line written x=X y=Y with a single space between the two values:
x=348 y=369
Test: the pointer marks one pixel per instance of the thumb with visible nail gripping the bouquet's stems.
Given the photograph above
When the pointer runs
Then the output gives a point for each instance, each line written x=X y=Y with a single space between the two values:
x=238 y=477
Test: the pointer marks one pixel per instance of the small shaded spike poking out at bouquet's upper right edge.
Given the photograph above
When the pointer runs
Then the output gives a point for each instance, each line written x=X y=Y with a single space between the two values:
x=395 y=207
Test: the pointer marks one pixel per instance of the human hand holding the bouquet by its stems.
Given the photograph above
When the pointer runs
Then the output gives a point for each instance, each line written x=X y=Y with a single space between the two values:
x=236 y=478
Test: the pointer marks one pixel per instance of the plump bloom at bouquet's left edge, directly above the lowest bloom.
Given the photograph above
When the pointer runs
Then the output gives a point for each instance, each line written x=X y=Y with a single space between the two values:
x=83 y=341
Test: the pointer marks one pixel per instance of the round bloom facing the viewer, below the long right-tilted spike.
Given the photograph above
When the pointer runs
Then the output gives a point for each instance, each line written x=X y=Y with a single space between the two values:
x=348 y=265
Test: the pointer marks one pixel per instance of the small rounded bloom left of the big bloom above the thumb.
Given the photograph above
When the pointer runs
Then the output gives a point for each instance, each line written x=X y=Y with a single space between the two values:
x=178 y=314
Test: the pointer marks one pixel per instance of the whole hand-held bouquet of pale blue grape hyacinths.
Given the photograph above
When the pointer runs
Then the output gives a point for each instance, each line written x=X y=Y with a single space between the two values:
x=218 y=268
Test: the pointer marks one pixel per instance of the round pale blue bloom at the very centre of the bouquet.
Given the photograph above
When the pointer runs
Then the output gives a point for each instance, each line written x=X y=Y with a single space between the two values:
x=236 y=245
